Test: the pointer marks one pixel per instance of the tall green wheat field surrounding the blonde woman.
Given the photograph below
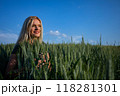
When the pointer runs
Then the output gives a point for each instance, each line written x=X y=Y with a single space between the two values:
x=69 y=61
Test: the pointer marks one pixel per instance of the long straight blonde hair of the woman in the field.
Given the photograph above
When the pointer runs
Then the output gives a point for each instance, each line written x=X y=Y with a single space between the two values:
x=25 y=31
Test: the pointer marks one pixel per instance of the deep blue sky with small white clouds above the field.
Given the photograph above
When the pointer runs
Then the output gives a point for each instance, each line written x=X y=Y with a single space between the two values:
x=62 y=19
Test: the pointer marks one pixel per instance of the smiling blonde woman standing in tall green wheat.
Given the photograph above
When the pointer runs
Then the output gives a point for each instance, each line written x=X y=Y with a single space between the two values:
x=32 y=30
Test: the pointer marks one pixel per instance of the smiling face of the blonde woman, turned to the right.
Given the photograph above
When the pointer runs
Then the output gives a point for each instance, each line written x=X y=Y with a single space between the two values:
x=36 y=29
